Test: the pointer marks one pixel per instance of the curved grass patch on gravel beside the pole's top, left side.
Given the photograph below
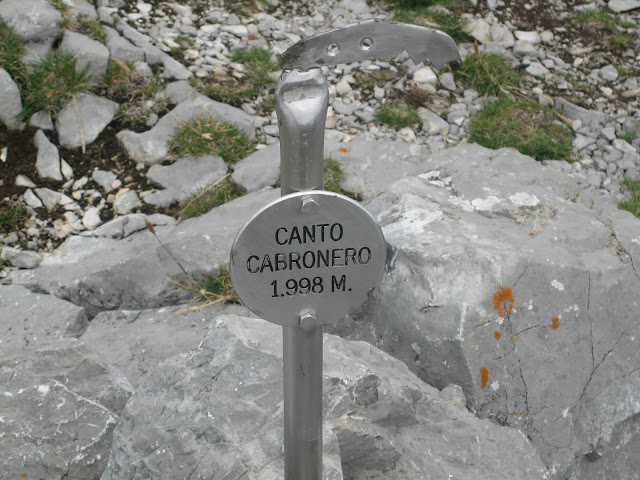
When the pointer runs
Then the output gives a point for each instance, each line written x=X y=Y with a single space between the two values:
x=235 y=91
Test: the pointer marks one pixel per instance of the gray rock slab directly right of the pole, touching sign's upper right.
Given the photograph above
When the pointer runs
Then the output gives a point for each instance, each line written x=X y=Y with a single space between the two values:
x=370 y=166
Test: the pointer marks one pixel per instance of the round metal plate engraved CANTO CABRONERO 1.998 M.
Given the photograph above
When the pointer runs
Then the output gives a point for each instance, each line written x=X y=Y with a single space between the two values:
x=312 y=253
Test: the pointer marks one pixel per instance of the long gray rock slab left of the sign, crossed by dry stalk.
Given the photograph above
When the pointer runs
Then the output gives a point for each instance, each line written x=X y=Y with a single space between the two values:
x=122 y=266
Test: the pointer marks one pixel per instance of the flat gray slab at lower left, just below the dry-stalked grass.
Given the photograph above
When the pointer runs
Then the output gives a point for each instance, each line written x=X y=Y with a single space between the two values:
x=137 y=341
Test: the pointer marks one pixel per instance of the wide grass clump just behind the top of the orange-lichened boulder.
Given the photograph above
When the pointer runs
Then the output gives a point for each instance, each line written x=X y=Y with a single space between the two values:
x=524 y=125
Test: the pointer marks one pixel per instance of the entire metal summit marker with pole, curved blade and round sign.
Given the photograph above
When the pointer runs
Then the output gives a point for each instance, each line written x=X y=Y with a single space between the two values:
x=312 y=257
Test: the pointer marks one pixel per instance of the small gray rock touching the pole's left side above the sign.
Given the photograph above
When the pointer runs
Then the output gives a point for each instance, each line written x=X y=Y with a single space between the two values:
x=259 y=170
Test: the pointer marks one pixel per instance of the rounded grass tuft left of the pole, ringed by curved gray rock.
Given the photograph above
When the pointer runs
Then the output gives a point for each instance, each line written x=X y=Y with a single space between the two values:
x=210 y=137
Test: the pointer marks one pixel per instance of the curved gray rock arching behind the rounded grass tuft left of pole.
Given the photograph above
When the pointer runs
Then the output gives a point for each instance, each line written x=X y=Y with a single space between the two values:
x=152 y=146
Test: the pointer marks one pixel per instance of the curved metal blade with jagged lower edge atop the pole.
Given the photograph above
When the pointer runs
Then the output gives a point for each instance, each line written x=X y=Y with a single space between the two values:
x=372 y=40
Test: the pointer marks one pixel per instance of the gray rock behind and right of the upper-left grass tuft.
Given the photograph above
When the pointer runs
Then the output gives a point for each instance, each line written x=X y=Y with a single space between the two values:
x=91 y=55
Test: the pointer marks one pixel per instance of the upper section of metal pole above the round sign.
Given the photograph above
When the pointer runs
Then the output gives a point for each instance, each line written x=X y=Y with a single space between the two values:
x=302 y=99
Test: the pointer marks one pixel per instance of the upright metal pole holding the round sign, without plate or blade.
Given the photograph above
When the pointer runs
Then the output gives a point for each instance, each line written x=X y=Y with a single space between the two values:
x=302 y=99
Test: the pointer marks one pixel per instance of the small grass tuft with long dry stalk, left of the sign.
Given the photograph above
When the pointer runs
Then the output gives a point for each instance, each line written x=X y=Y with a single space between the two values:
x=219 y=289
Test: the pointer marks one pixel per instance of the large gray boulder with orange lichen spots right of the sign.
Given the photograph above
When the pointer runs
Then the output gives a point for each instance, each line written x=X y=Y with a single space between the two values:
x=504 y=279
